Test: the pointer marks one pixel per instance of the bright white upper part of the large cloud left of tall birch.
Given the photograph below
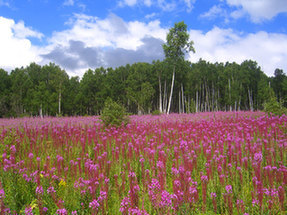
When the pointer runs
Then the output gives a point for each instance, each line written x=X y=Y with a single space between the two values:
x=109 y=32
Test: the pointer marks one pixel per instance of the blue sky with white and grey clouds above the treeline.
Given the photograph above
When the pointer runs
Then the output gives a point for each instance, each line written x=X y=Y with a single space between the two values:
x=86 y=34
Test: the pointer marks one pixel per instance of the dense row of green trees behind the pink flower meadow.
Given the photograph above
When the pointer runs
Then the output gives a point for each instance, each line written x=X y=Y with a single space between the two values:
x=141 y=87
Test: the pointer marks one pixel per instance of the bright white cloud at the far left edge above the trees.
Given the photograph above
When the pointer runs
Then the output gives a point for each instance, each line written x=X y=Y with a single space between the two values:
x=16 y=50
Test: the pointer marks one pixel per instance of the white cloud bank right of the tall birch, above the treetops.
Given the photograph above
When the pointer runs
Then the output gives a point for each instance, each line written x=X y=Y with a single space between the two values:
x=221 y=45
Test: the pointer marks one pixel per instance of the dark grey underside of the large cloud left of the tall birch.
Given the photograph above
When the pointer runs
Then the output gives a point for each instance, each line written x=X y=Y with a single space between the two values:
x=77 y=55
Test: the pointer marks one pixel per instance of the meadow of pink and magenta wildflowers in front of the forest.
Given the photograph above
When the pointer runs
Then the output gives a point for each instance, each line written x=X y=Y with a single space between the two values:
x=207 y=163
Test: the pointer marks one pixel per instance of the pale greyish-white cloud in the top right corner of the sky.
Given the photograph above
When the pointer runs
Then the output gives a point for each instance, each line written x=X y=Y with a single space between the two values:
x=260 y=10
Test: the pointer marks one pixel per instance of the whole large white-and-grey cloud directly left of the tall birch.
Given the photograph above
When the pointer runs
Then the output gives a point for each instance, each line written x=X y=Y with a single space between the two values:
x=90 y=42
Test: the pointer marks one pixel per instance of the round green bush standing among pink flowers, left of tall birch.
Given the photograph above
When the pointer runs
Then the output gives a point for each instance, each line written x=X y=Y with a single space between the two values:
x=114 y=114
